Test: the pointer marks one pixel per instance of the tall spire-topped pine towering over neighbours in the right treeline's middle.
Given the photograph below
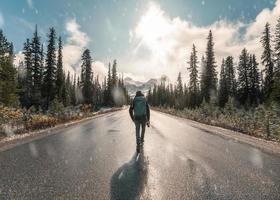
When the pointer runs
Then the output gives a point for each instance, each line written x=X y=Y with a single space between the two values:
x=209 y=78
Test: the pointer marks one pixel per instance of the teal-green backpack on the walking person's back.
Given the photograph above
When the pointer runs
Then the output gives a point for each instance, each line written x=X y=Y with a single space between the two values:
x=140 y=108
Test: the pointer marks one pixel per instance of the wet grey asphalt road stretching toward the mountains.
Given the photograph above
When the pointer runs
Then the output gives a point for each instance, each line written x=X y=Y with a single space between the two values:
x=97 y=160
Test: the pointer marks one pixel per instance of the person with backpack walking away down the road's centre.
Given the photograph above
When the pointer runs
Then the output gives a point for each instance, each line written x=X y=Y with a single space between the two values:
x=140 y=114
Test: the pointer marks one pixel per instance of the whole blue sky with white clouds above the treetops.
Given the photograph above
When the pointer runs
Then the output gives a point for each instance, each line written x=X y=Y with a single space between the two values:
x=148 y=38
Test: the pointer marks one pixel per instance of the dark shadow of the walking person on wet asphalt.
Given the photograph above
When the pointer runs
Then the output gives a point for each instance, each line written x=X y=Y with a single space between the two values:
x=129 y=181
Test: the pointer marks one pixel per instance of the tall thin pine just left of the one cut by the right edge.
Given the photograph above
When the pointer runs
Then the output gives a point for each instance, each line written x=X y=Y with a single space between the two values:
x=267 y=61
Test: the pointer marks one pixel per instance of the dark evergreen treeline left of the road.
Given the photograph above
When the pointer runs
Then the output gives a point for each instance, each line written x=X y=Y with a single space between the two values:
x=40 y=80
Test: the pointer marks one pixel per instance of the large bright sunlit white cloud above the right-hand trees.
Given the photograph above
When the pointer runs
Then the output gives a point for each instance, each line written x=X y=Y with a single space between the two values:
x=160 y=44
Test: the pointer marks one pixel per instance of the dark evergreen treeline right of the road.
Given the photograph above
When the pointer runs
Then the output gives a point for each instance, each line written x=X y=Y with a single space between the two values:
x=244 y=84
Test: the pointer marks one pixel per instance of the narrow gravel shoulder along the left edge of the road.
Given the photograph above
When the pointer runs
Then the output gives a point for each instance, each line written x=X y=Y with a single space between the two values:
x=12 y=142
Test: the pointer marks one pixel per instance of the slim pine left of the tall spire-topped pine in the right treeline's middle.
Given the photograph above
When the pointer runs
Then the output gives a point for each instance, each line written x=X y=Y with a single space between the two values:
x=193 y=83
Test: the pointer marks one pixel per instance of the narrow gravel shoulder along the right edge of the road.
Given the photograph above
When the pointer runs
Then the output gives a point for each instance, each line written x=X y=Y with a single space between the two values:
x=265 y=145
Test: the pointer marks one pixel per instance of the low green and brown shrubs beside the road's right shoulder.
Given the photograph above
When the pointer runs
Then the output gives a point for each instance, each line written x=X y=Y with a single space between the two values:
x=260 y=122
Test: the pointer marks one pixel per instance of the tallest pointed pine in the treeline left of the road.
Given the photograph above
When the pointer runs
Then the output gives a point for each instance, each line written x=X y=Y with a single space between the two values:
x=36 y=69
